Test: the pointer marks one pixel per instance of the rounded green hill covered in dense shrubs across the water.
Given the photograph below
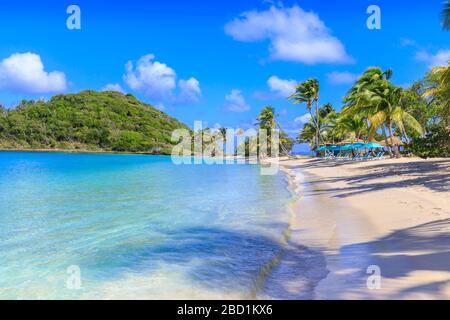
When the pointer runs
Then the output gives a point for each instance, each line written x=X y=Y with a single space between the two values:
x=89 y=120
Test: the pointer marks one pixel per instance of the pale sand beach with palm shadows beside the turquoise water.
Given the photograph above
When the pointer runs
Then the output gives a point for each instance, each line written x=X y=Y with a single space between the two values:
x=392 y=213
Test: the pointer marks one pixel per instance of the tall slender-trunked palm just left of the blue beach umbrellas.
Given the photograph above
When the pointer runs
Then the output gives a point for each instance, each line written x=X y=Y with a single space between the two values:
x=308 y=92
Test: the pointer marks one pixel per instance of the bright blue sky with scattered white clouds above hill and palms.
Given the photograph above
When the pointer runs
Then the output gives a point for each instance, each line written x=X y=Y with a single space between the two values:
x=214 y=64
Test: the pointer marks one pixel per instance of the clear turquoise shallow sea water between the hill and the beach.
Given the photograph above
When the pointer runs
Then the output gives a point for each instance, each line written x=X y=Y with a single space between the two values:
x=136 y=226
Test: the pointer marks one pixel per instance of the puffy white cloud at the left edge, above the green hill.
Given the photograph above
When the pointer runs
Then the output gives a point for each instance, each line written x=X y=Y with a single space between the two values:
x=24 y=73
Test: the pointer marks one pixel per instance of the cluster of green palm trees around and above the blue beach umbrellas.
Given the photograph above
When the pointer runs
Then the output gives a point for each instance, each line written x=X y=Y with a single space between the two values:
x=374 y=108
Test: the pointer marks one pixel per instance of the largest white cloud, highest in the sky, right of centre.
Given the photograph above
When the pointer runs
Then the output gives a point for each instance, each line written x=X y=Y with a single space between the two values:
x=294 y=34
